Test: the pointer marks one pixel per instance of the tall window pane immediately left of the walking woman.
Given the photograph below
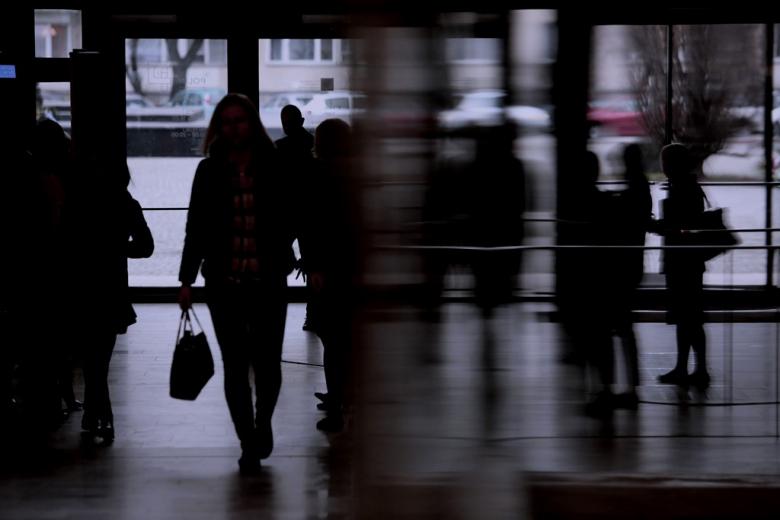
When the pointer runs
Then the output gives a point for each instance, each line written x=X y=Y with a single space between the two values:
x=168 y=111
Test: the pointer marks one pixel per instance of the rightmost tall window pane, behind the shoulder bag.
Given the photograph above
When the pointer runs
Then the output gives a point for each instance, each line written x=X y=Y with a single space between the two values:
x=718 y=112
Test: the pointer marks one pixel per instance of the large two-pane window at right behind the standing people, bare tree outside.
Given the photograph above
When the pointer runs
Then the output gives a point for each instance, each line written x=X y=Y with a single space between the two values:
x=716 y=91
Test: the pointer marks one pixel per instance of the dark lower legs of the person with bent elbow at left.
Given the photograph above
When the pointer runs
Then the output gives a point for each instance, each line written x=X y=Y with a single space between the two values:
x=98 y=347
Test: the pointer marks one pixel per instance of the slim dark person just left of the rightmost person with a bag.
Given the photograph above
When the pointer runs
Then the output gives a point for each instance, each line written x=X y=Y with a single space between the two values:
x=631 y=213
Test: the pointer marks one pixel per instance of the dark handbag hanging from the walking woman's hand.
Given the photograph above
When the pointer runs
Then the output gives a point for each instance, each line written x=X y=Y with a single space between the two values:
x=193 y=364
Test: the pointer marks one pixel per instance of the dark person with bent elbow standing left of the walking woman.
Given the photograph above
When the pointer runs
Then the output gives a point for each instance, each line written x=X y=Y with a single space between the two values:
x=105 y=226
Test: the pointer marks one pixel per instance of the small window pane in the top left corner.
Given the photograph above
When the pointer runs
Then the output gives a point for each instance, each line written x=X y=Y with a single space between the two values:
x=57 y=32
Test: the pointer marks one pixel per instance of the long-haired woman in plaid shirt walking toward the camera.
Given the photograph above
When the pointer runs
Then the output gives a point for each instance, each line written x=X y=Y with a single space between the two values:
x=240 y=229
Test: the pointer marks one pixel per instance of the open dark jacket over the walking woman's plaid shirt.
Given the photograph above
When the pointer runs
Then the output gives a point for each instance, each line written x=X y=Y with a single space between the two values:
x=208 y=239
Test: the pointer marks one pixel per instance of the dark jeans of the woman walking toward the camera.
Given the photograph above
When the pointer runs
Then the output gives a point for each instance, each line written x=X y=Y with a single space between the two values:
x=249 y=322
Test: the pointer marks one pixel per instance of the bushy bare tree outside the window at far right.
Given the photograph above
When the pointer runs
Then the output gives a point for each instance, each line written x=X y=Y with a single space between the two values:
x=717 y=70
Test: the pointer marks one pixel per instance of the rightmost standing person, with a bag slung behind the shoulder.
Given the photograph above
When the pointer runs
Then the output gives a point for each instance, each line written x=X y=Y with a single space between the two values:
x=684 y=268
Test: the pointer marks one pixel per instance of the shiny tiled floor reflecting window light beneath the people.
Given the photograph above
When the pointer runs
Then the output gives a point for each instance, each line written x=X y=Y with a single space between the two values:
x=449 y=423
